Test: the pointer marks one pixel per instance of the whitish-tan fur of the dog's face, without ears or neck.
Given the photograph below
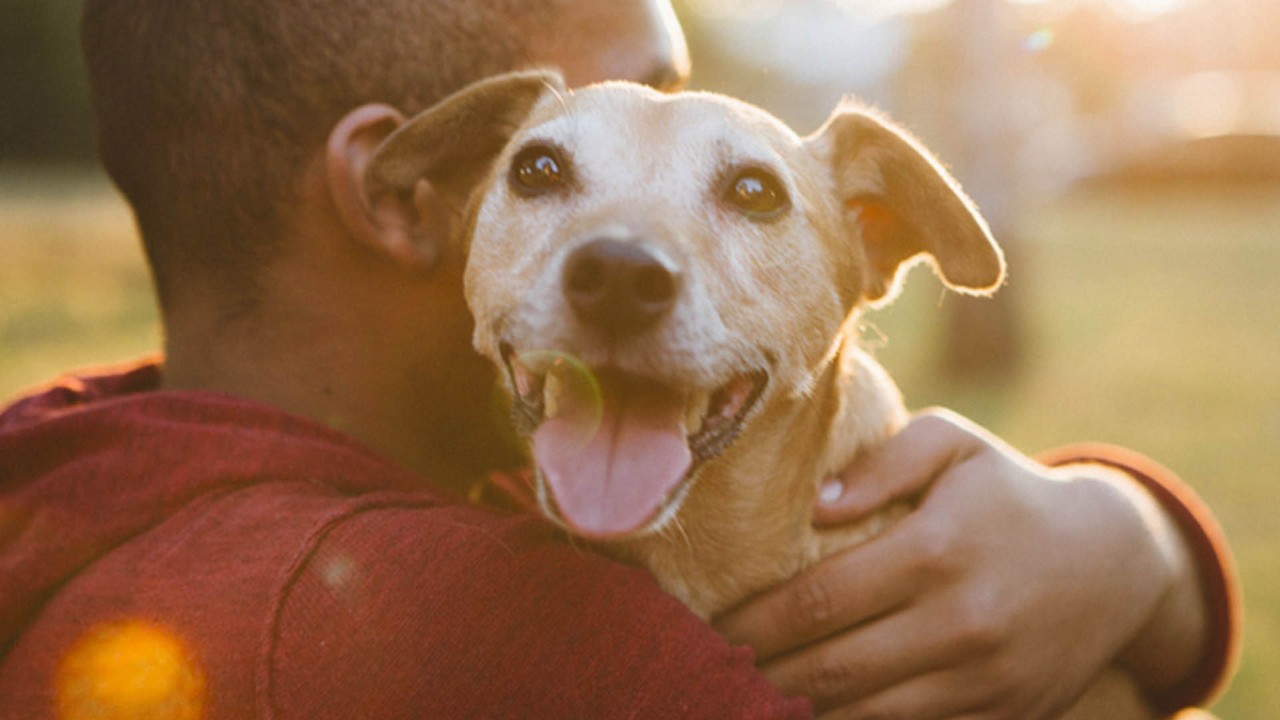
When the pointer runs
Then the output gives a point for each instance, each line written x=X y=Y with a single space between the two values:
x=651 y=171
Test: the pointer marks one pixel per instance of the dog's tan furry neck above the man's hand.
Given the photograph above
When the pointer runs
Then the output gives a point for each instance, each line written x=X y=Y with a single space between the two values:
x=755 y=505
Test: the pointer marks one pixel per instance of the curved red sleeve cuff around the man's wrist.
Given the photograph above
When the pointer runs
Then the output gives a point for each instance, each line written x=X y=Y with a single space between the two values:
x=1218 y=576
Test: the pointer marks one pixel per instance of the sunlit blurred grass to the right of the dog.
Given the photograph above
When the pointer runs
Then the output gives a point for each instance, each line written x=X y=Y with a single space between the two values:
x=1153 y=321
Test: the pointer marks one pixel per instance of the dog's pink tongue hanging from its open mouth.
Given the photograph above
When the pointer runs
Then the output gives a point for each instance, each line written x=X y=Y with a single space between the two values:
x=615 y=482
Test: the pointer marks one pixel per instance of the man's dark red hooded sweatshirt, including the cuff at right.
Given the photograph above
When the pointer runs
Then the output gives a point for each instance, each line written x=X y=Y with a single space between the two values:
x=268 y=567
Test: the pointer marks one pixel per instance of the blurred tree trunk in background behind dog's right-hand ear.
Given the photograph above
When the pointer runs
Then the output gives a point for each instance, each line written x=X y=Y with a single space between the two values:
x=962 y=92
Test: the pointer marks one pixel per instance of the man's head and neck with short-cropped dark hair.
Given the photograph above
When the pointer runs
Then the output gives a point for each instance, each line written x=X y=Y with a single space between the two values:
x=237 y=131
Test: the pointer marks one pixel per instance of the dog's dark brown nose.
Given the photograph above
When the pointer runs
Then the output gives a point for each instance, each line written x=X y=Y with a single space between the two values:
x=620 y=288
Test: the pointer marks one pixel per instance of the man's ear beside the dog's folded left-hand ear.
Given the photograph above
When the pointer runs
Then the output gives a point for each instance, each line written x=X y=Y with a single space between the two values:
x=412 y=231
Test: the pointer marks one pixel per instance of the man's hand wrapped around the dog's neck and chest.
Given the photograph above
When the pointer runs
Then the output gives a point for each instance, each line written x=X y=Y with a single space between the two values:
x=1003 y=595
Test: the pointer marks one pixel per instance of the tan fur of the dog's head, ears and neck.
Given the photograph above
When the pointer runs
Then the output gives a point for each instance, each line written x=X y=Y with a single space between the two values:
x=783 y=295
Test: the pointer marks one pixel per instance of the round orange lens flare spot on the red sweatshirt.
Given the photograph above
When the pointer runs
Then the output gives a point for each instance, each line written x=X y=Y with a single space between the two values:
x=130 y=671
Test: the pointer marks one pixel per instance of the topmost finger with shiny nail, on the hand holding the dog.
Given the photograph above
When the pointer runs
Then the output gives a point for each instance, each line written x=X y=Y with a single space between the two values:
x=903 y=468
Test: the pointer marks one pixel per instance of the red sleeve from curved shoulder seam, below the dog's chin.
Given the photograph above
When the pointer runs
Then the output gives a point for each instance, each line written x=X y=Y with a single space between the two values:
x=451 y=613
